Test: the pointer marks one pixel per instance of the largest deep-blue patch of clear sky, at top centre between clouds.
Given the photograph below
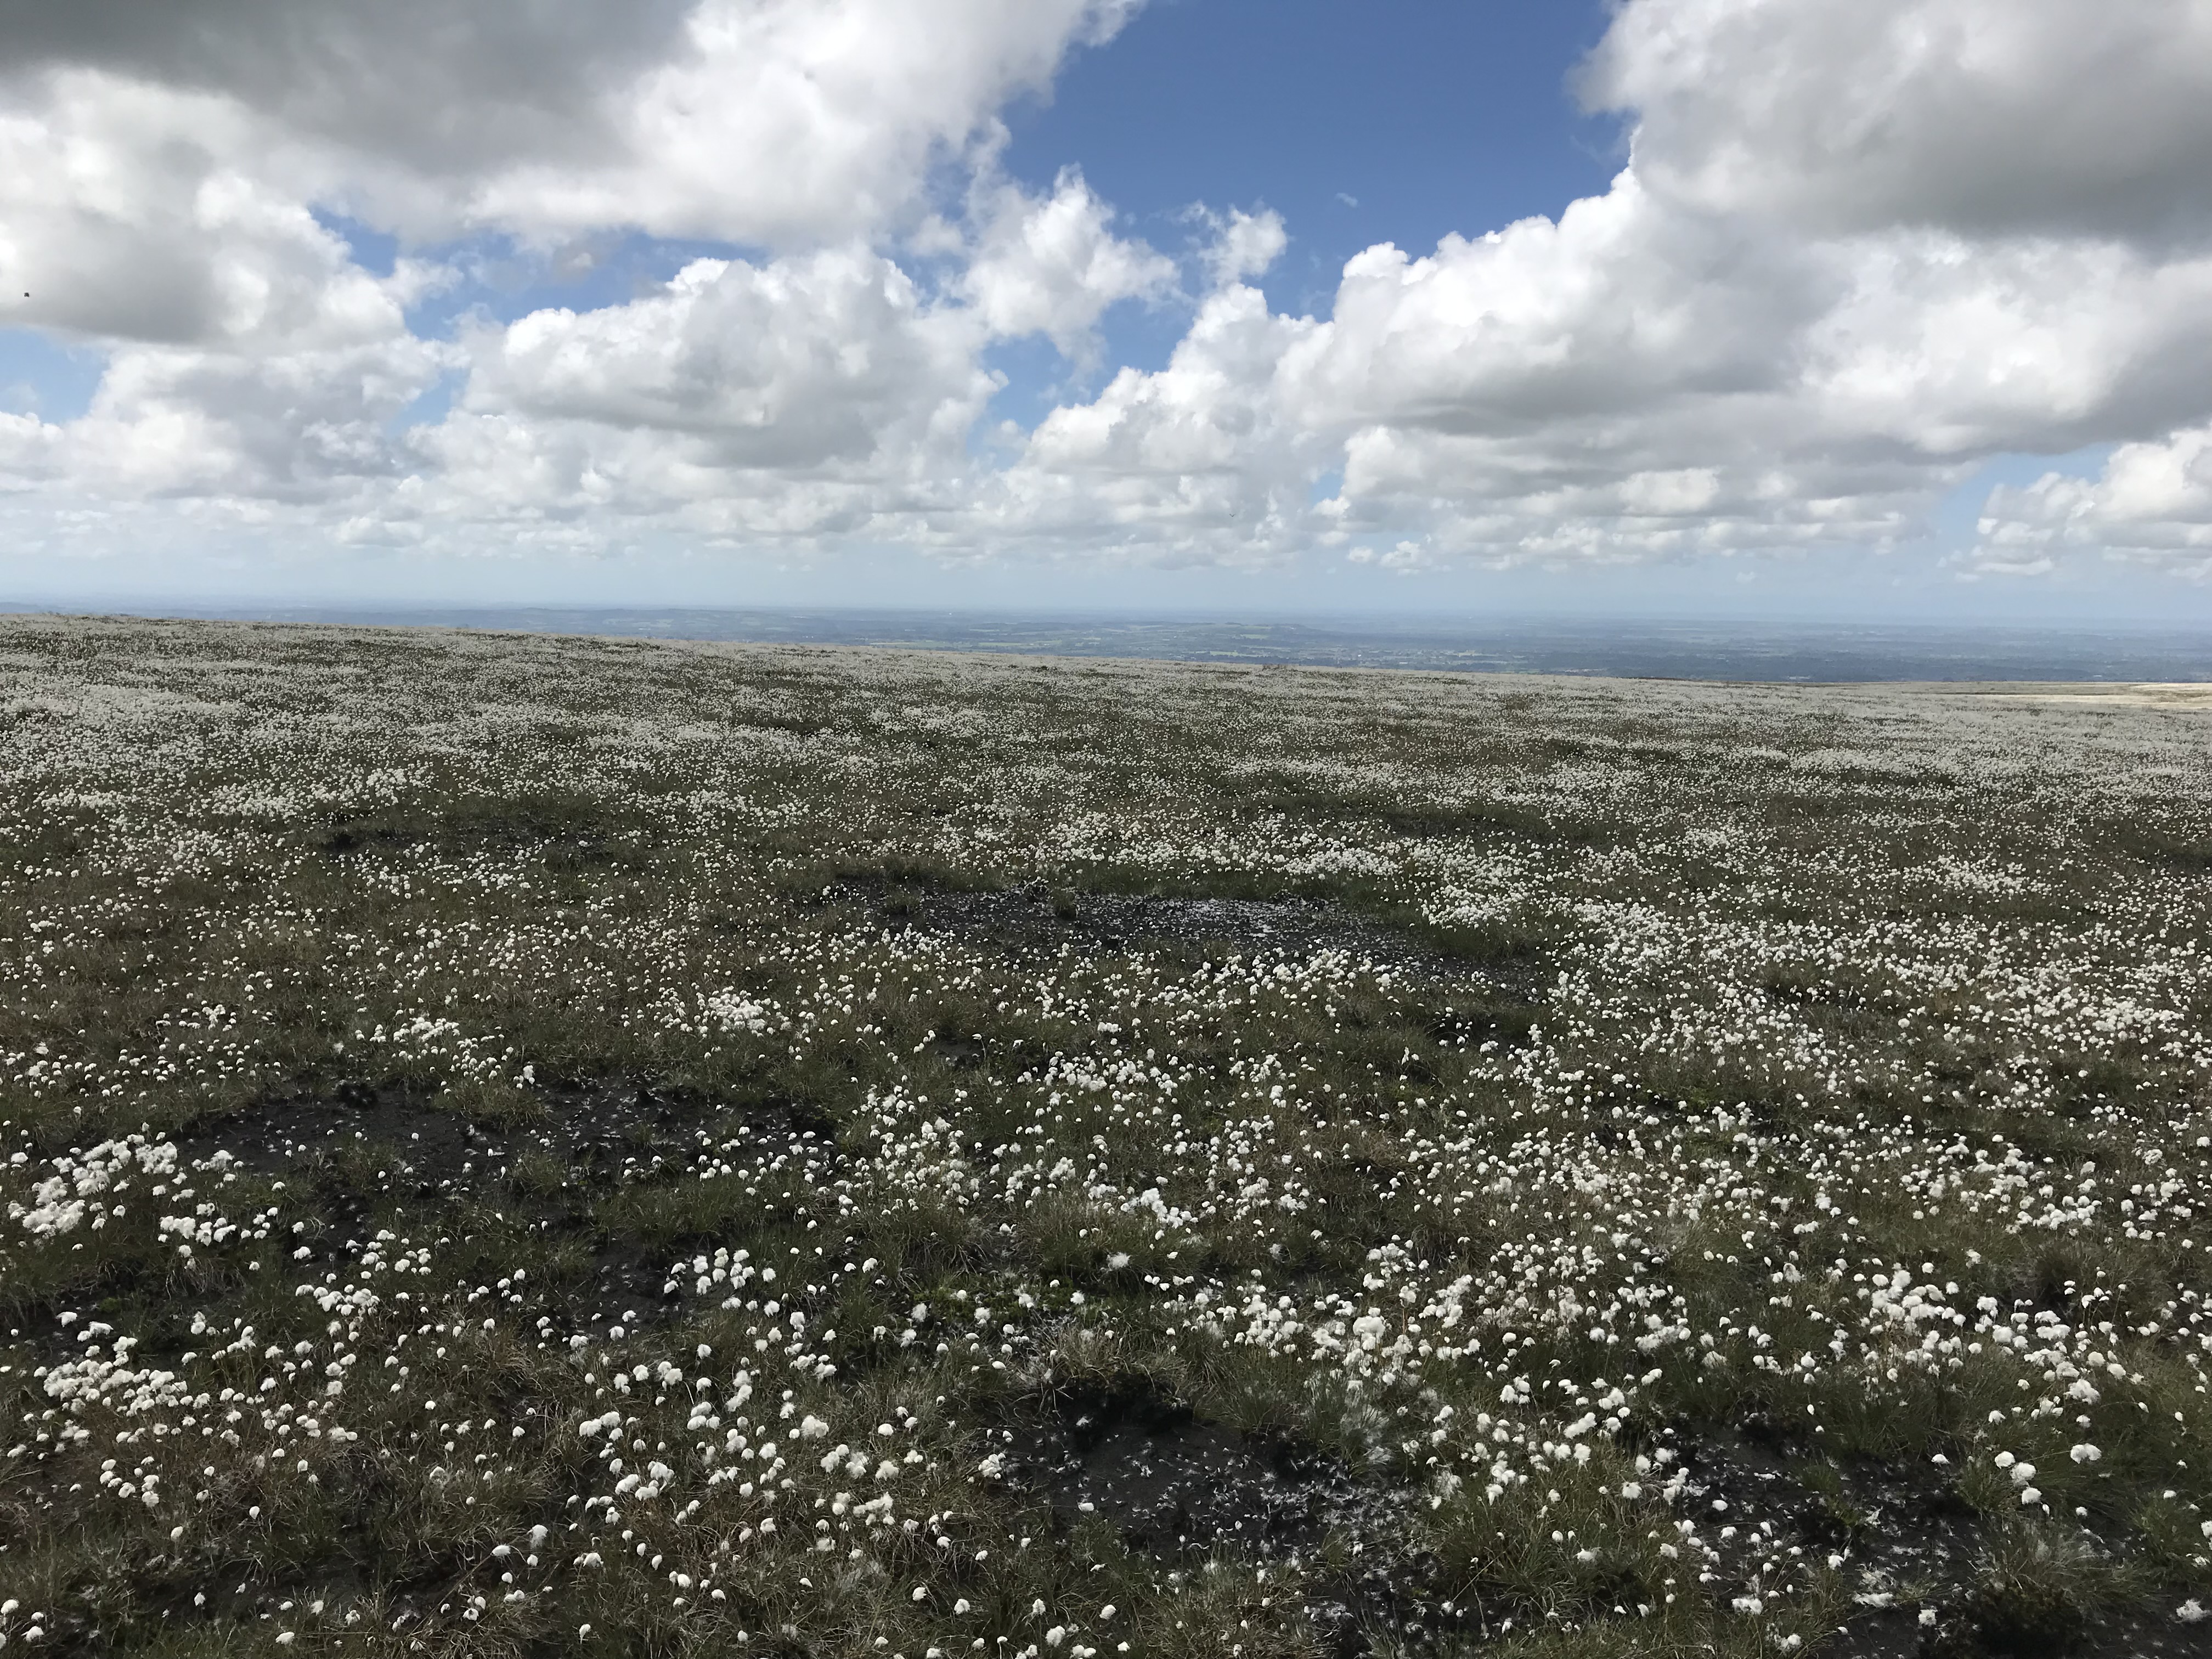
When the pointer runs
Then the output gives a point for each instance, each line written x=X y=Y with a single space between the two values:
x=1397 y=121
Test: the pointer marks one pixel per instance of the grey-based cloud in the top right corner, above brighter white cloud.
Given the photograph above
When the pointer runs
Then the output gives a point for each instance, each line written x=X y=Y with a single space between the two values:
x=1983 y=116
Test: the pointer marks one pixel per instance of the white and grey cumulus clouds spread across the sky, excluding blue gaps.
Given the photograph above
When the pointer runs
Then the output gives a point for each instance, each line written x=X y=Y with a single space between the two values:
x=1853 y=255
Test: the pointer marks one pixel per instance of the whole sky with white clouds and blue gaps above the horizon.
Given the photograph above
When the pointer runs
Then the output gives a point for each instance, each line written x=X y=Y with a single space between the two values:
x=1897 y=309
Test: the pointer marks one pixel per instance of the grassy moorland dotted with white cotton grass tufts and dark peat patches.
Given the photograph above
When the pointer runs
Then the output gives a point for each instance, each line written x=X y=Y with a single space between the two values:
x=536 y=1147
